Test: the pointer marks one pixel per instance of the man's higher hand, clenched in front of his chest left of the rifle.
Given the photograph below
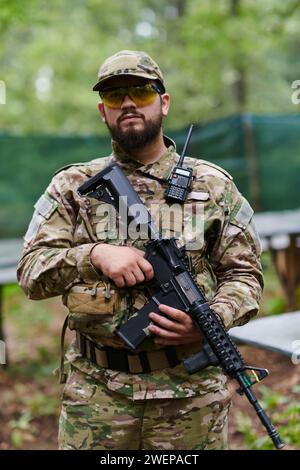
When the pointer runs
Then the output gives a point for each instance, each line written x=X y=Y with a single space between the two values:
x=125 y=265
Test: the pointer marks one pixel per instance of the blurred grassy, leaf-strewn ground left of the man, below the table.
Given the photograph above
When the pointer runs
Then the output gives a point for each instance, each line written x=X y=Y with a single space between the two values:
x=29 y=391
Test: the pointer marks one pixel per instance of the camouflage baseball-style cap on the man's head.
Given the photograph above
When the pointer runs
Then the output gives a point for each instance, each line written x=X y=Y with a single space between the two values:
x=136 y=63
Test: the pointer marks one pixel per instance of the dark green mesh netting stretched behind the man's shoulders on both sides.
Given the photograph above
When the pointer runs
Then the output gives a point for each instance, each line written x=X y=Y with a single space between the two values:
x=260 y=152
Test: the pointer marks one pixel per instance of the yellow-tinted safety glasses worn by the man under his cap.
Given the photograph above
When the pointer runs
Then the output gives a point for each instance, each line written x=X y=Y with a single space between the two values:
x=141 y=95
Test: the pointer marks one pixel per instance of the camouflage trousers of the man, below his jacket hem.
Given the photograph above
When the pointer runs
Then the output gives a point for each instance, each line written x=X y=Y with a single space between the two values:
x=96 y=418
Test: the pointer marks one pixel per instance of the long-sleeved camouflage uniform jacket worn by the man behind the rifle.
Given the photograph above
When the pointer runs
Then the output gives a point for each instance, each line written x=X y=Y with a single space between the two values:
x=65 y=227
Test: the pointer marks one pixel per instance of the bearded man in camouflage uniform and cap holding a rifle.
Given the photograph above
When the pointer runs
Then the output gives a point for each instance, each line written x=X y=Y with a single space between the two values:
x=114 y=398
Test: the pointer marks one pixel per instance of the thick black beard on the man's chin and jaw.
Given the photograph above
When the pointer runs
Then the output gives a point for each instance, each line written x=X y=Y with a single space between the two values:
x=132 y=139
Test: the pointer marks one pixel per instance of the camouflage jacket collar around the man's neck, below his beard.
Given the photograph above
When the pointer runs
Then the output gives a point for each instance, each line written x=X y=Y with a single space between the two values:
x=158 y=170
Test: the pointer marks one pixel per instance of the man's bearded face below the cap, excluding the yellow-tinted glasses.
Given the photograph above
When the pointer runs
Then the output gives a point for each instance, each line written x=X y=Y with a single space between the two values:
x=130 y=125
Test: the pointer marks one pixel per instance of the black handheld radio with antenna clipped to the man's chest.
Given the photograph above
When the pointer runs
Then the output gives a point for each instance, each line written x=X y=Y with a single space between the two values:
x=180 y=178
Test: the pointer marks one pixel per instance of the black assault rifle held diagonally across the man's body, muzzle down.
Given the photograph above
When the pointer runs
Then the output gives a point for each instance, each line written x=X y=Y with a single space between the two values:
x=176 y=287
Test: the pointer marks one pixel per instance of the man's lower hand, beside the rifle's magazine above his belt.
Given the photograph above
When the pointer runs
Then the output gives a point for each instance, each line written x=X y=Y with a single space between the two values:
x=175 y=329
